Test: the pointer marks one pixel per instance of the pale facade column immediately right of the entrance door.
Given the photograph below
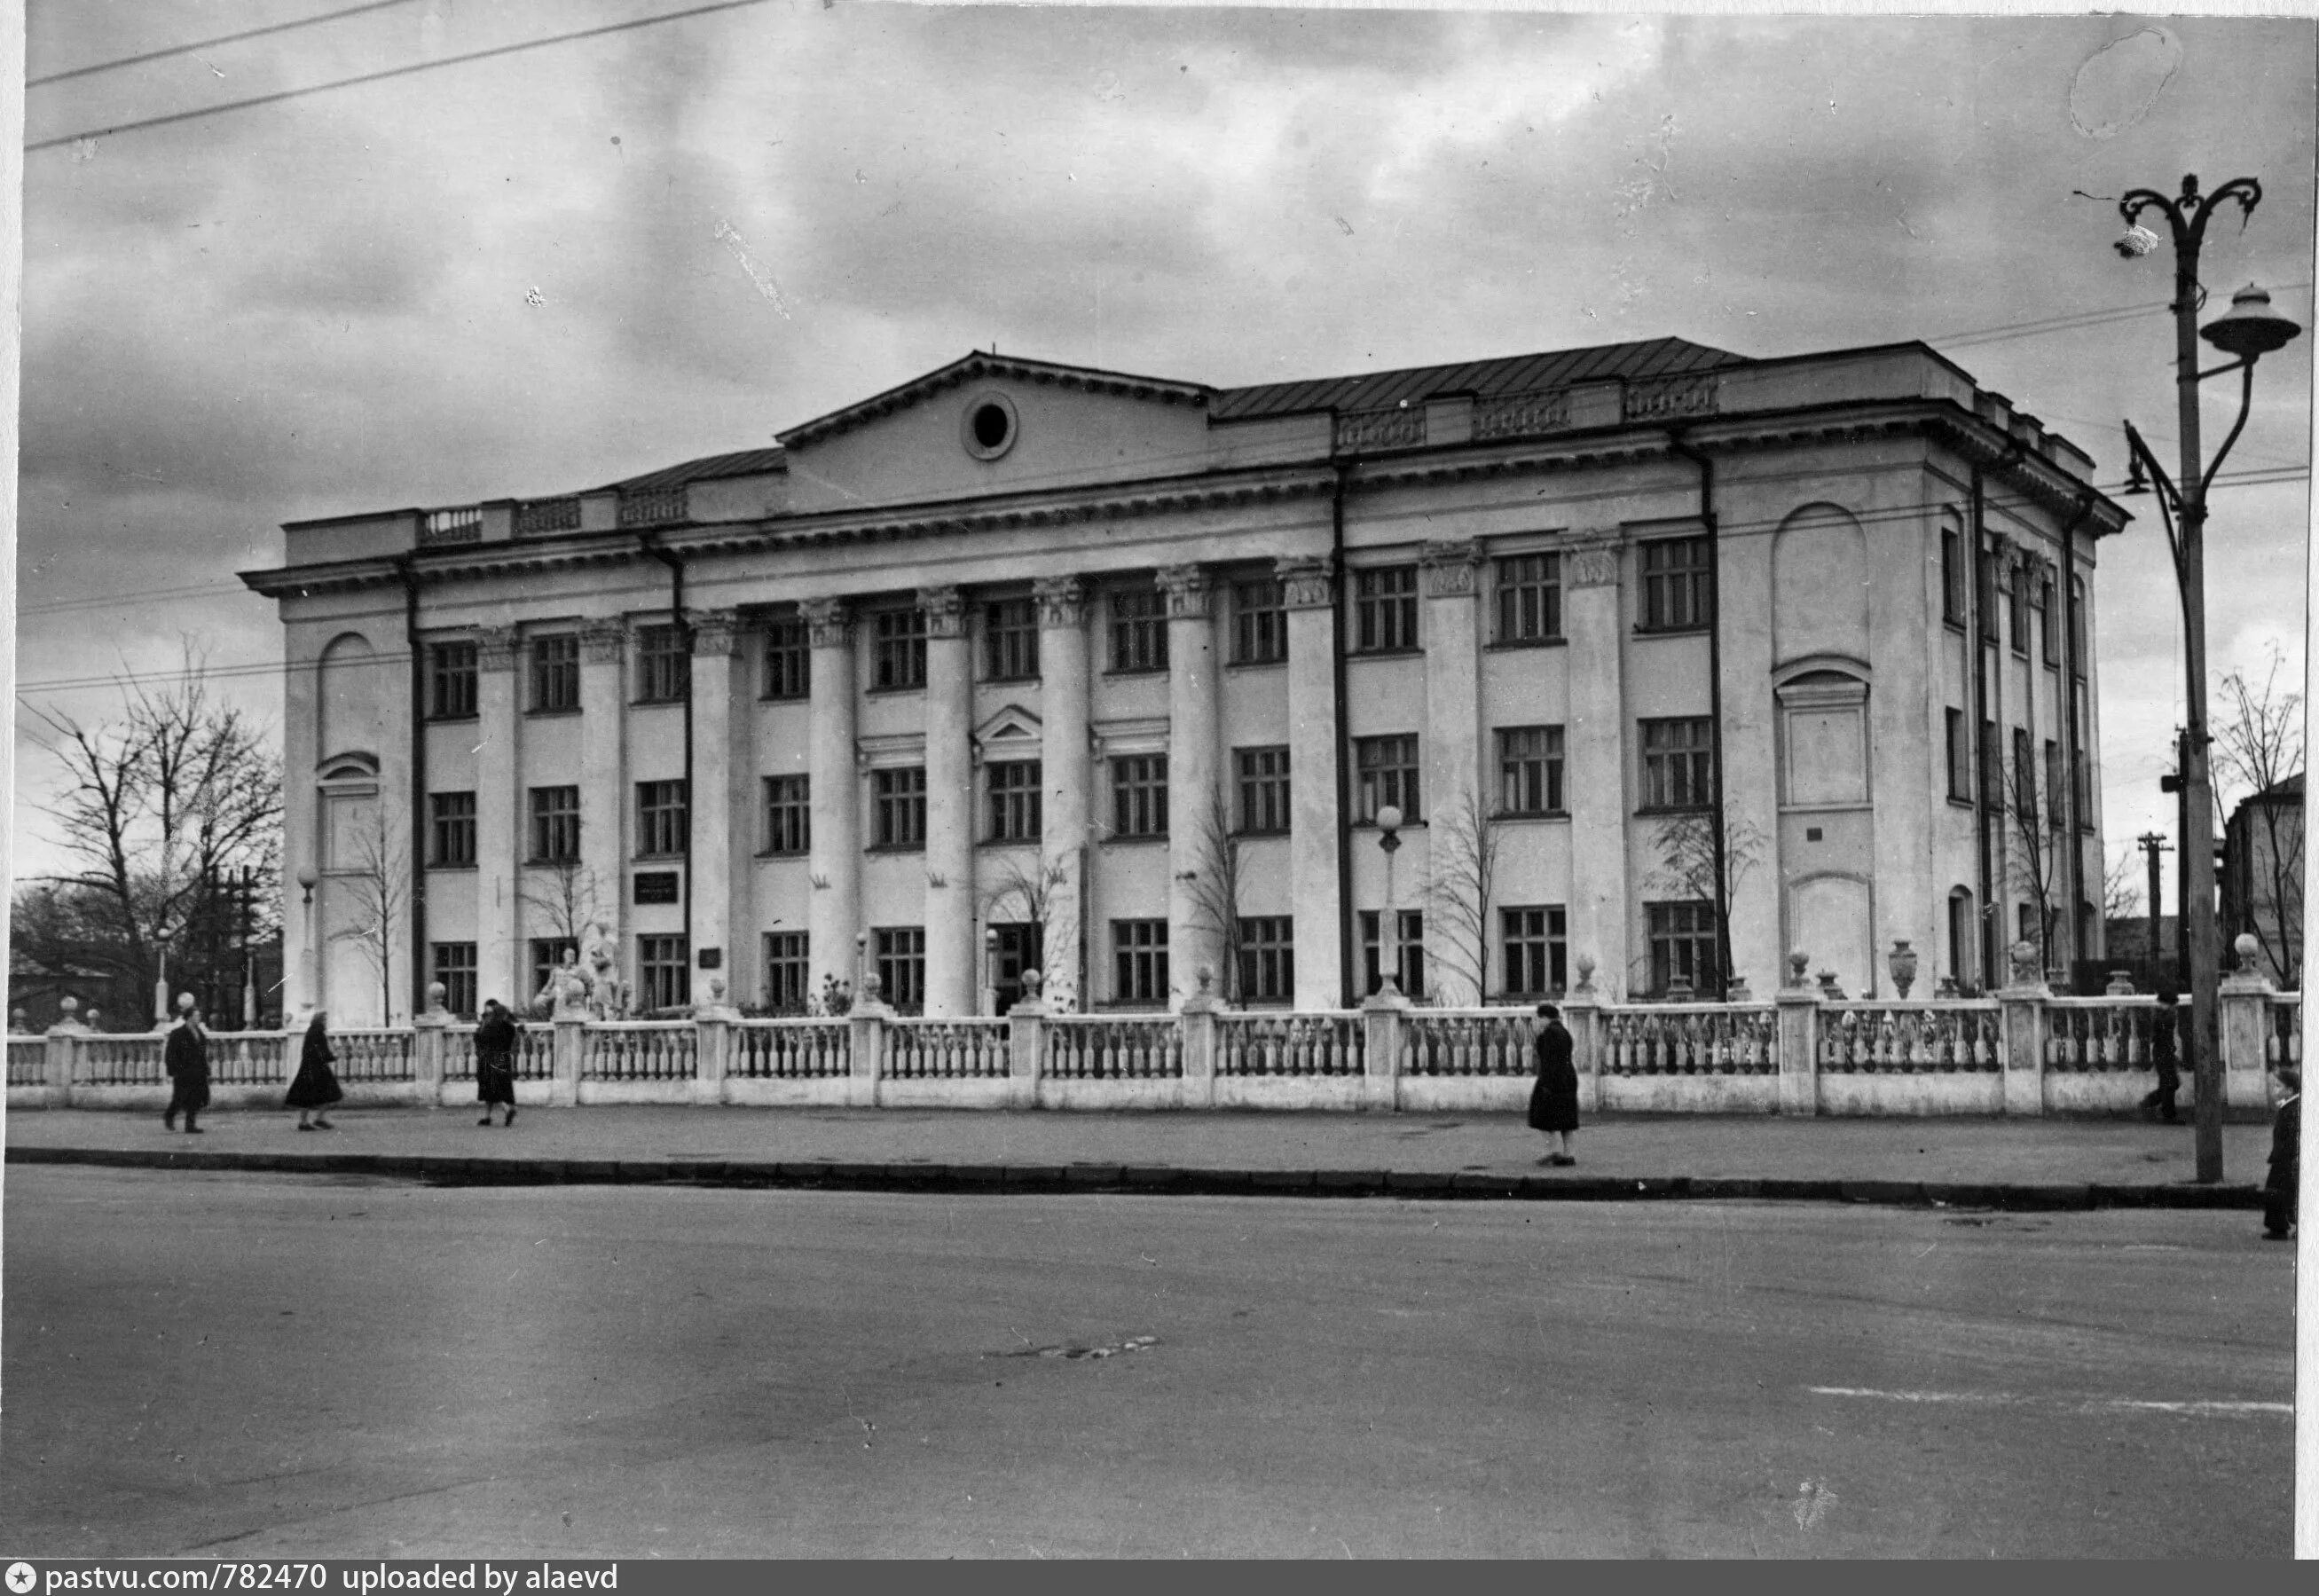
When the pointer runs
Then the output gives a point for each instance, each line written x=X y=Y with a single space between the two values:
x=1063 y=771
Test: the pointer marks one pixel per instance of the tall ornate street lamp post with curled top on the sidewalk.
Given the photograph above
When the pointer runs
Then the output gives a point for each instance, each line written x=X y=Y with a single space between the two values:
x=2248 y=331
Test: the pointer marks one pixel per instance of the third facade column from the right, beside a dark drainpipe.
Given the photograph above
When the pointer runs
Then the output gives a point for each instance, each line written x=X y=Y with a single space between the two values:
x=1309 y=595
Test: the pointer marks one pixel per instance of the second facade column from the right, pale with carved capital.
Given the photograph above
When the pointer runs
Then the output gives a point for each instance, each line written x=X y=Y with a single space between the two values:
x=1455 y=797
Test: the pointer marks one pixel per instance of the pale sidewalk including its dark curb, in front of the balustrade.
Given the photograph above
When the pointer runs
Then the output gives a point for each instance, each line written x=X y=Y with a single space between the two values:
x=2049 y=1163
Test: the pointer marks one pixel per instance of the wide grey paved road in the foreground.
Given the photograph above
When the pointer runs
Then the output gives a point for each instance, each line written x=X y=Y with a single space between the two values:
x=247 y=1365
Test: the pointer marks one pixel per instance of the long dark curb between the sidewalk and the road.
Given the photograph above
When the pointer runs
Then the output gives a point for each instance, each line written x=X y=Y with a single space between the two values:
x=1154 y=1182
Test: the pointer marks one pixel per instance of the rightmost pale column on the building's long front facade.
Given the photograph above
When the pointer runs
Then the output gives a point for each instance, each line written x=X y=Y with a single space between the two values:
x=1597 y=781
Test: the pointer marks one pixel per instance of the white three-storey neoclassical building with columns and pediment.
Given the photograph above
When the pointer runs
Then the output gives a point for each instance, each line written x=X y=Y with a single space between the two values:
x=1031 y=665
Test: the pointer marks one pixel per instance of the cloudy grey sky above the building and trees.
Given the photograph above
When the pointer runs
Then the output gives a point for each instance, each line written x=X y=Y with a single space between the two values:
x=565 y=266
